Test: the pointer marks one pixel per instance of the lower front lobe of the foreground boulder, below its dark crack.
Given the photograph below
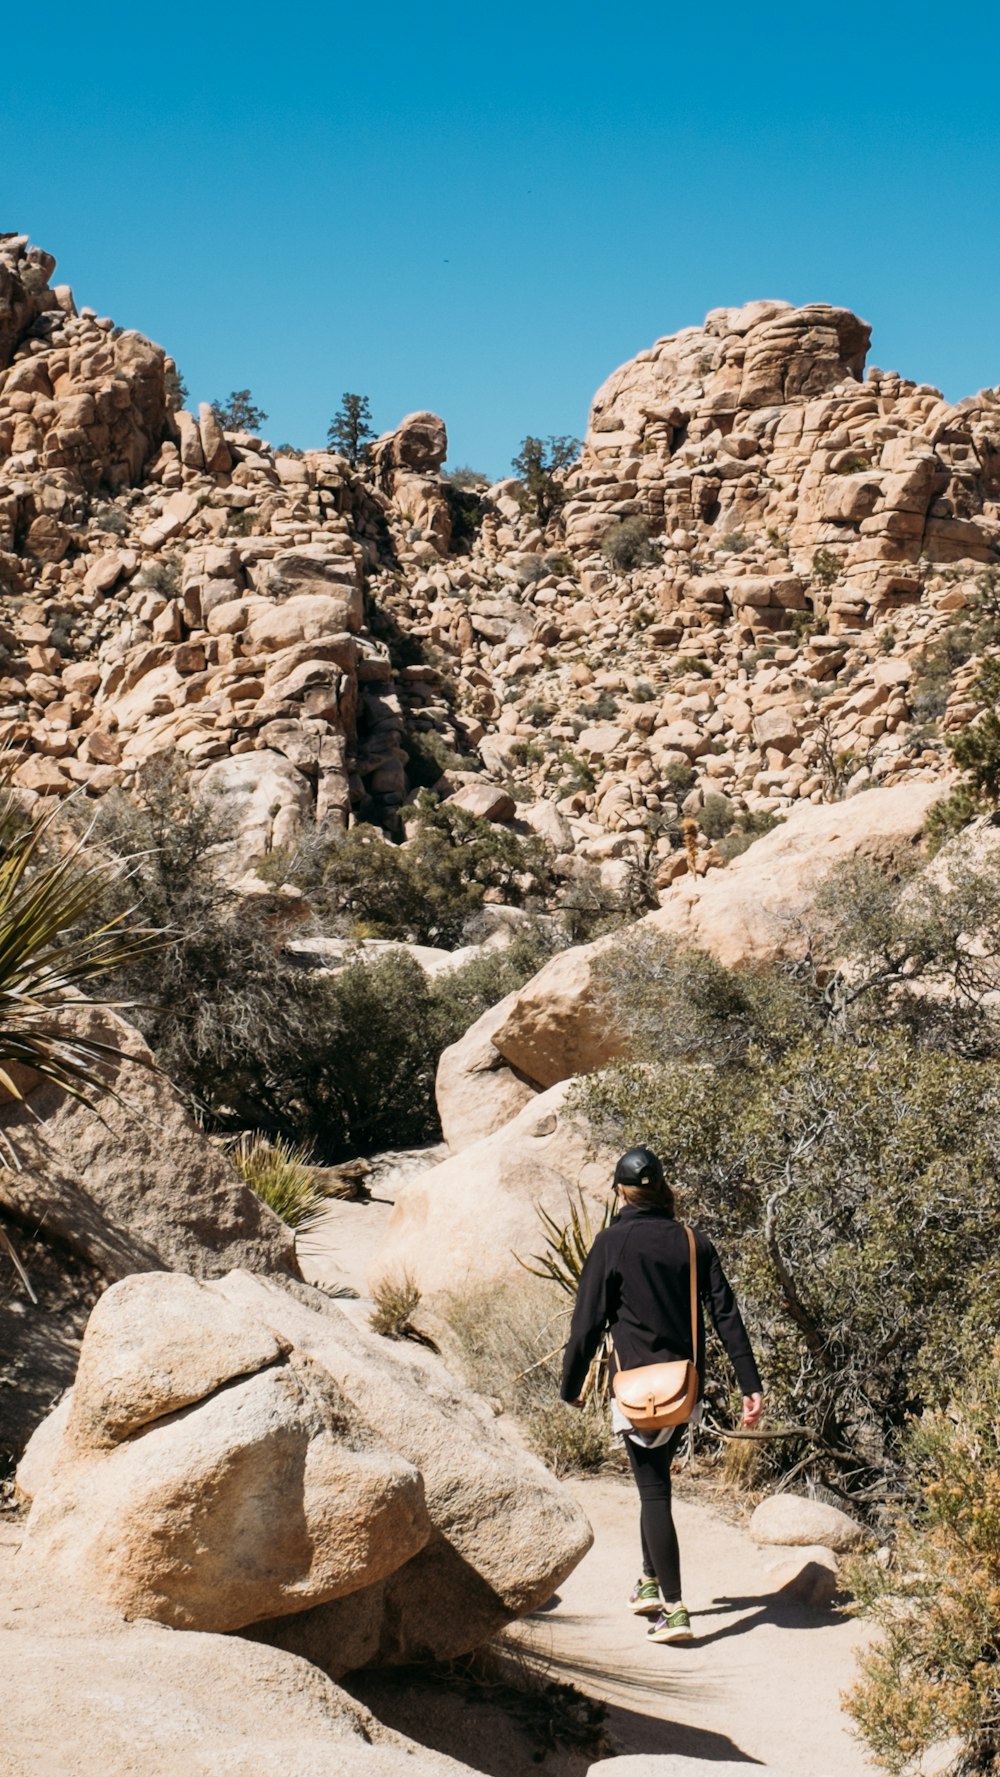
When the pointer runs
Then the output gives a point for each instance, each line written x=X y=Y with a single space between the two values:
x=251 y=1504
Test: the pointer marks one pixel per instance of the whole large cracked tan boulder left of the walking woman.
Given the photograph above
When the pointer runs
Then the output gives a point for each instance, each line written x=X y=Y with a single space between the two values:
x=232 y=1456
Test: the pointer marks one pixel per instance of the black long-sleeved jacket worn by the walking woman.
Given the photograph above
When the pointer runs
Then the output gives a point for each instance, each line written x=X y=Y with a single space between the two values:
x=637 y=1282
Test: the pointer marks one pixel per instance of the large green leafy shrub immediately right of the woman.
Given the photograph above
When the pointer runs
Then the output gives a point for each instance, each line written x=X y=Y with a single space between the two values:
x=845 y=1159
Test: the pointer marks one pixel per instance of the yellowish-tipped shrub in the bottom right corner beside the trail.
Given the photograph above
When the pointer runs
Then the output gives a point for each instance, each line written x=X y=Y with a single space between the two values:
x=935 y=1673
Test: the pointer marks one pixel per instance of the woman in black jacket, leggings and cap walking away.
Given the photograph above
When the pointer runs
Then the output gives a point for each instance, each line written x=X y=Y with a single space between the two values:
x=637 y=1284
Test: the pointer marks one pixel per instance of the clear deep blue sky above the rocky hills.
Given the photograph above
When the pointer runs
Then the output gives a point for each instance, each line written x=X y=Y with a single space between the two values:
x=486 y=209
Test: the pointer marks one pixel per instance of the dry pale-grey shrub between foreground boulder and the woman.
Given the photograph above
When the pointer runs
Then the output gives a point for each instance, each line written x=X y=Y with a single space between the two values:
x=512 y=1346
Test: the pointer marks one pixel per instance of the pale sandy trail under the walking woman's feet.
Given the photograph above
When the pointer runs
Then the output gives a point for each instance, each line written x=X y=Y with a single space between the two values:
x=761 y=1682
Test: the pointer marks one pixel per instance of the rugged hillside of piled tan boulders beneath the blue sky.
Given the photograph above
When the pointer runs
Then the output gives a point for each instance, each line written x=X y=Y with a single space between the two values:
x=742 y=593
